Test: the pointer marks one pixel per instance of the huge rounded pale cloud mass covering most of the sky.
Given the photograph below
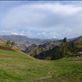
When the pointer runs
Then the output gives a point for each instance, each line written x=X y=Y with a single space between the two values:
x=44 y=20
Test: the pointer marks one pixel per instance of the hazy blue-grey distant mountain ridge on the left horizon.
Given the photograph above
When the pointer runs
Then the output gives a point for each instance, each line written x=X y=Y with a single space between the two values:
x=19 y=39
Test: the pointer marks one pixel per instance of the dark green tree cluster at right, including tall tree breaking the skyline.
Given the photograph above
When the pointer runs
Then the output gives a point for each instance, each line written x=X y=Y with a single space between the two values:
x=70 y=48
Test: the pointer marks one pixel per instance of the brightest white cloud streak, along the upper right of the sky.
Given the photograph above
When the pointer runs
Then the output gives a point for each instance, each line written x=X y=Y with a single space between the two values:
x=59 y=8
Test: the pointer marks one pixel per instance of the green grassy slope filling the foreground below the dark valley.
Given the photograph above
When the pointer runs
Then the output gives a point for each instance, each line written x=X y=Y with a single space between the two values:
x=16 y=66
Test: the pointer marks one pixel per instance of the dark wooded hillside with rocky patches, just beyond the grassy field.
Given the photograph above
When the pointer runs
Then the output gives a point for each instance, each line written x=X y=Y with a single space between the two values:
x=55 y=50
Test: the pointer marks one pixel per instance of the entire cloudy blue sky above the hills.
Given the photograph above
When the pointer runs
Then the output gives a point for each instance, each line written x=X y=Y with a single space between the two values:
x=41 y=19
